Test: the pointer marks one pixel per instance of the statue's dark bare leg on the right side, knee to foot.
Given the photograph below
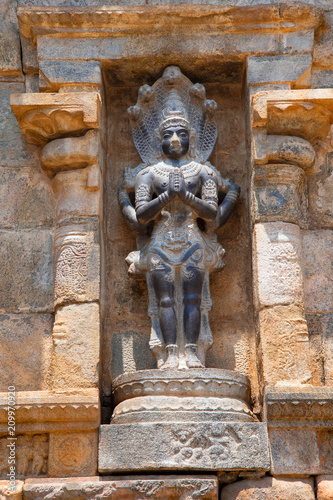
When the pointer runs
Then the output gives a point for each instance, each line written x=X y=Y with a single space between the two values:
x=192 y=289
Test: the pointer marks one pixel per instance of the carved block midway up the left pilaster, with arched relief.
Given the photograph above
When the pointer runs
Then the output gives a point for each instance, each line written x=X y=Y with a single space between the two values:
x=77 y=262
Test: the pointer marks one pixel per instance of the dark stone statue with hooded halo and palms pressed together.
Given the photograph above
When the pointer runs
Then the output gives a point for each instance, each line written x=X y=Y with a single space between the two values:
x=180 y=201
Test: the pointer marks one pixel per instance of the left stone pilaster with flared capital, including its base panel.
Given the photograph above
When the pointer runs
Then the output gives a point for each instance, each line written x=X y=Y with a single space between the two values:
x=66 y=126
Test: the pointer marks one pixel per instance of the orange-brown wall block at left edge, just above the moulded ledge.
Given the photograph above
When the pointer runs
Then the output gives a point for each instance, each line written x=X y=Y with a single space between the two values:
x=25 y=351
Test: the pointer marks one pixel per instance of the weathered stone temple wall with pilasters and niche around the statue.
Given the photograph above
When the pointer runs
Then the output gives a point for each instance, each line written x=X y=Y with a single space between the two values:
x=63 y=340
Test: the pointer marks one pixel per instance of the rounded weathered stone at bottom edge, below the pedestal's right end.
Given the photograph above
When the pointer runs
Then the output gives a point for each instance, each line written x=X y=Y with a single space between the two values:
x=269 y=488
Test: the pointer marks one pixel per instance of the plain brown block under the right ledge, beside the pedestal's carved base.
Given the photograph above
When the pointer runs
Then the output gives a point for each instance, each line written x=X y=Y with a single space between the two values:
x=294 y=451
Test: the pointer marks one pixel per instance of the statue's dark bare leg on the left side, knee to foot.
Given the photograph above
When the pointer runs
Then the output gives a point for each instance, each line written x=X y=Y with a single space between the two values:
x=164 y=290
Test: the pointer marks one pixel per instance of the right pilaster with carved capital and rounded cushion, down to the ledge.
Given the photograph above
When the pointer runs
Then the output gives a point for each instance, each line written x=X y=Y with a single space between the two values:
x=284 y=123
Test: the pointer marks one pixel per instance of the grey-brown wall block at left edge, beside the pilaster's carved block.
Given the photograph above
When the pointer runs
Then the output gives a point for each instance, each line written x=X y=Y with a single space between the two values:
x=27 y=270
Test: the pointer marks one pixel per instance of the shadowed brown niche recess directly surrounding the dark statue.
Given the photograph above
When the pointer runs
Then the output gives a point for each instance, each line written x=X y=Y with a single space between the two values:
x=126 y=322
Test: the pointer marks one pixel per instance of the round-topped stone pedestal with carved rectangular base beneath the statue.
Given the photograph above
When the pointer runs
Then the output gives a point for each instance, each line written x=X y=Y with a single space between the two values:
x=182 y=420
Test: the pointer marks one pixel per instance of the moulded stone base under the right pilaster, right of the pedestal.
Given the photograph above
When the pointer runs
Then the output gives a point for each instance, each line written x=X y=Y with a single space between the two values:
x=300 y=428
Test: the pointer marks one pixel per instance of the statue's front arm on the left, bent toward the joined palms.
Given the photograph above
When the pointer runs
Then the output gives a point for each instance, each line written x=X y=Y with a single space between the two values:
x=147 y=208
